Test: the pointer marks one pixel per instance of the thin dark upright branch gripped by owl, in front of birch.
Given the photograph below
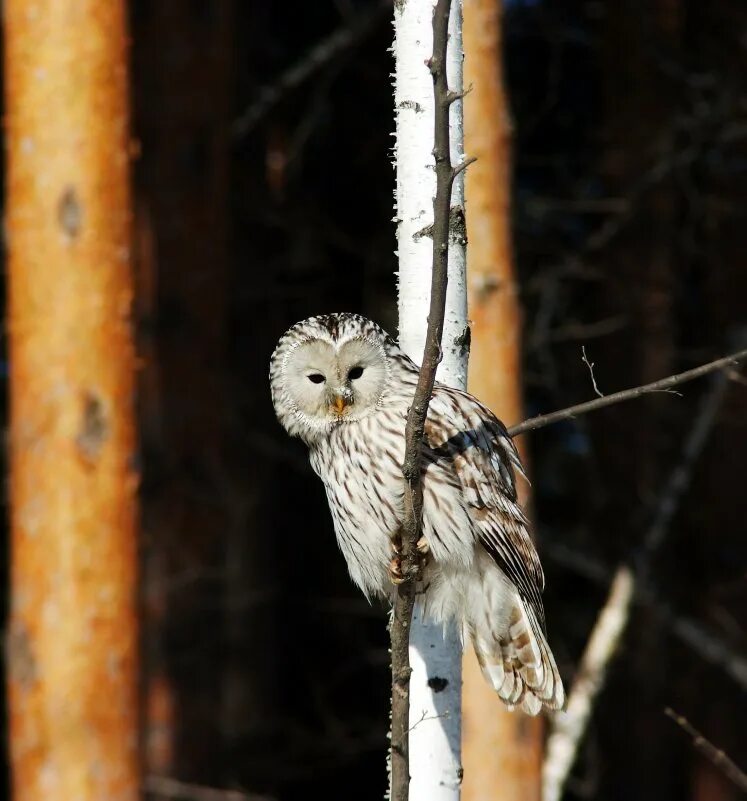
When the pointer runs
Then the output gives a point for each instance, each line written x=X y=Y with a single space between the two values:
x=405 y=600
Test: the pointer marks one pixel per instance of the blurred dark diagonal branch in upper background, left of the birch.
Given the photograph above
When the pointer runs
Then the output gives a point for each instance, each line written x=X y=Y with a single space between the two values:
x=325 y=51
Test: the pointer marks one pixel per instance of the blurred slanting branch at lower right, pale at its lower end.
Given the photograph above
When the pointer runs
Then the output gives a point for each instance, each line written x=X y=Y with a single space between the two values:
x=569 y=727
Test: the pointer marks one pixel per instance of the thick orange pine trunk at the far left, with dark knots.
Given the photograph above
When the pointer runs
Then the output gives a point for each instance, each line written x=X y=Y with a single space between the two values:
x=73 y=643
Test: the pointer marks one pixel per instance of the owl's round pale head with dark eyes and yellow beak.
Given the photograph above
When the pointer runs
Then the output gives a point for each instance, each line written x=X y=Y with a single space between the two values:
x=328 y=371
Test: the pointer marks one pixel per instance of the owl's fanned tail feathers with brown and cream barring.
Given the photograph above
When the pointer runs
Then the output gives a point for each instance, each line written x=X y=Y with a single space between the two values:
x=513 y=652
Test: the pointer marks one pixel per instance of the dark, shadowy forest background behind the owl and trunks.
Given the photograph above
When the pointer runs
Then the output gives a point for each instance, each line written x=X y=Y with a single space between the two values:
x=264 y=669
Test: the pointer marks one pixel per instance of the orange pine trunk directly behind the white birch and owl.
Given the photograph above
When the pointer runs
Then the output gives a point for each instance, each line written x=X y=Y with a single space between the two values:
x=501 y=751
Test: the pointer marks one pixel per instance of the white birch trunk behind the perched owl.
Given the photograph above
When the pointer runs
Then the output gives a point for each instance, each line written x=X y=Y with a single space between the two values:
x=435 y=686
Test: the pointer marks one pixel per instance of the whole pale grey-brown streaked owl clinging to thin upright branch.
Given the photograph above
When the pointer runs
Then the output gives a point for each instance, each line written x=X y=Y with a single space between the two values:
x=342 y=385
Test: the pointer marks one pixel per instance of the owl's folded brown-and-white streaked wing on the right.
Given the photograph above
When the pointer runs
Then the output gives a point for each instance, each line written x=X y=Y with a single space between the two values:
x=466 y=434
